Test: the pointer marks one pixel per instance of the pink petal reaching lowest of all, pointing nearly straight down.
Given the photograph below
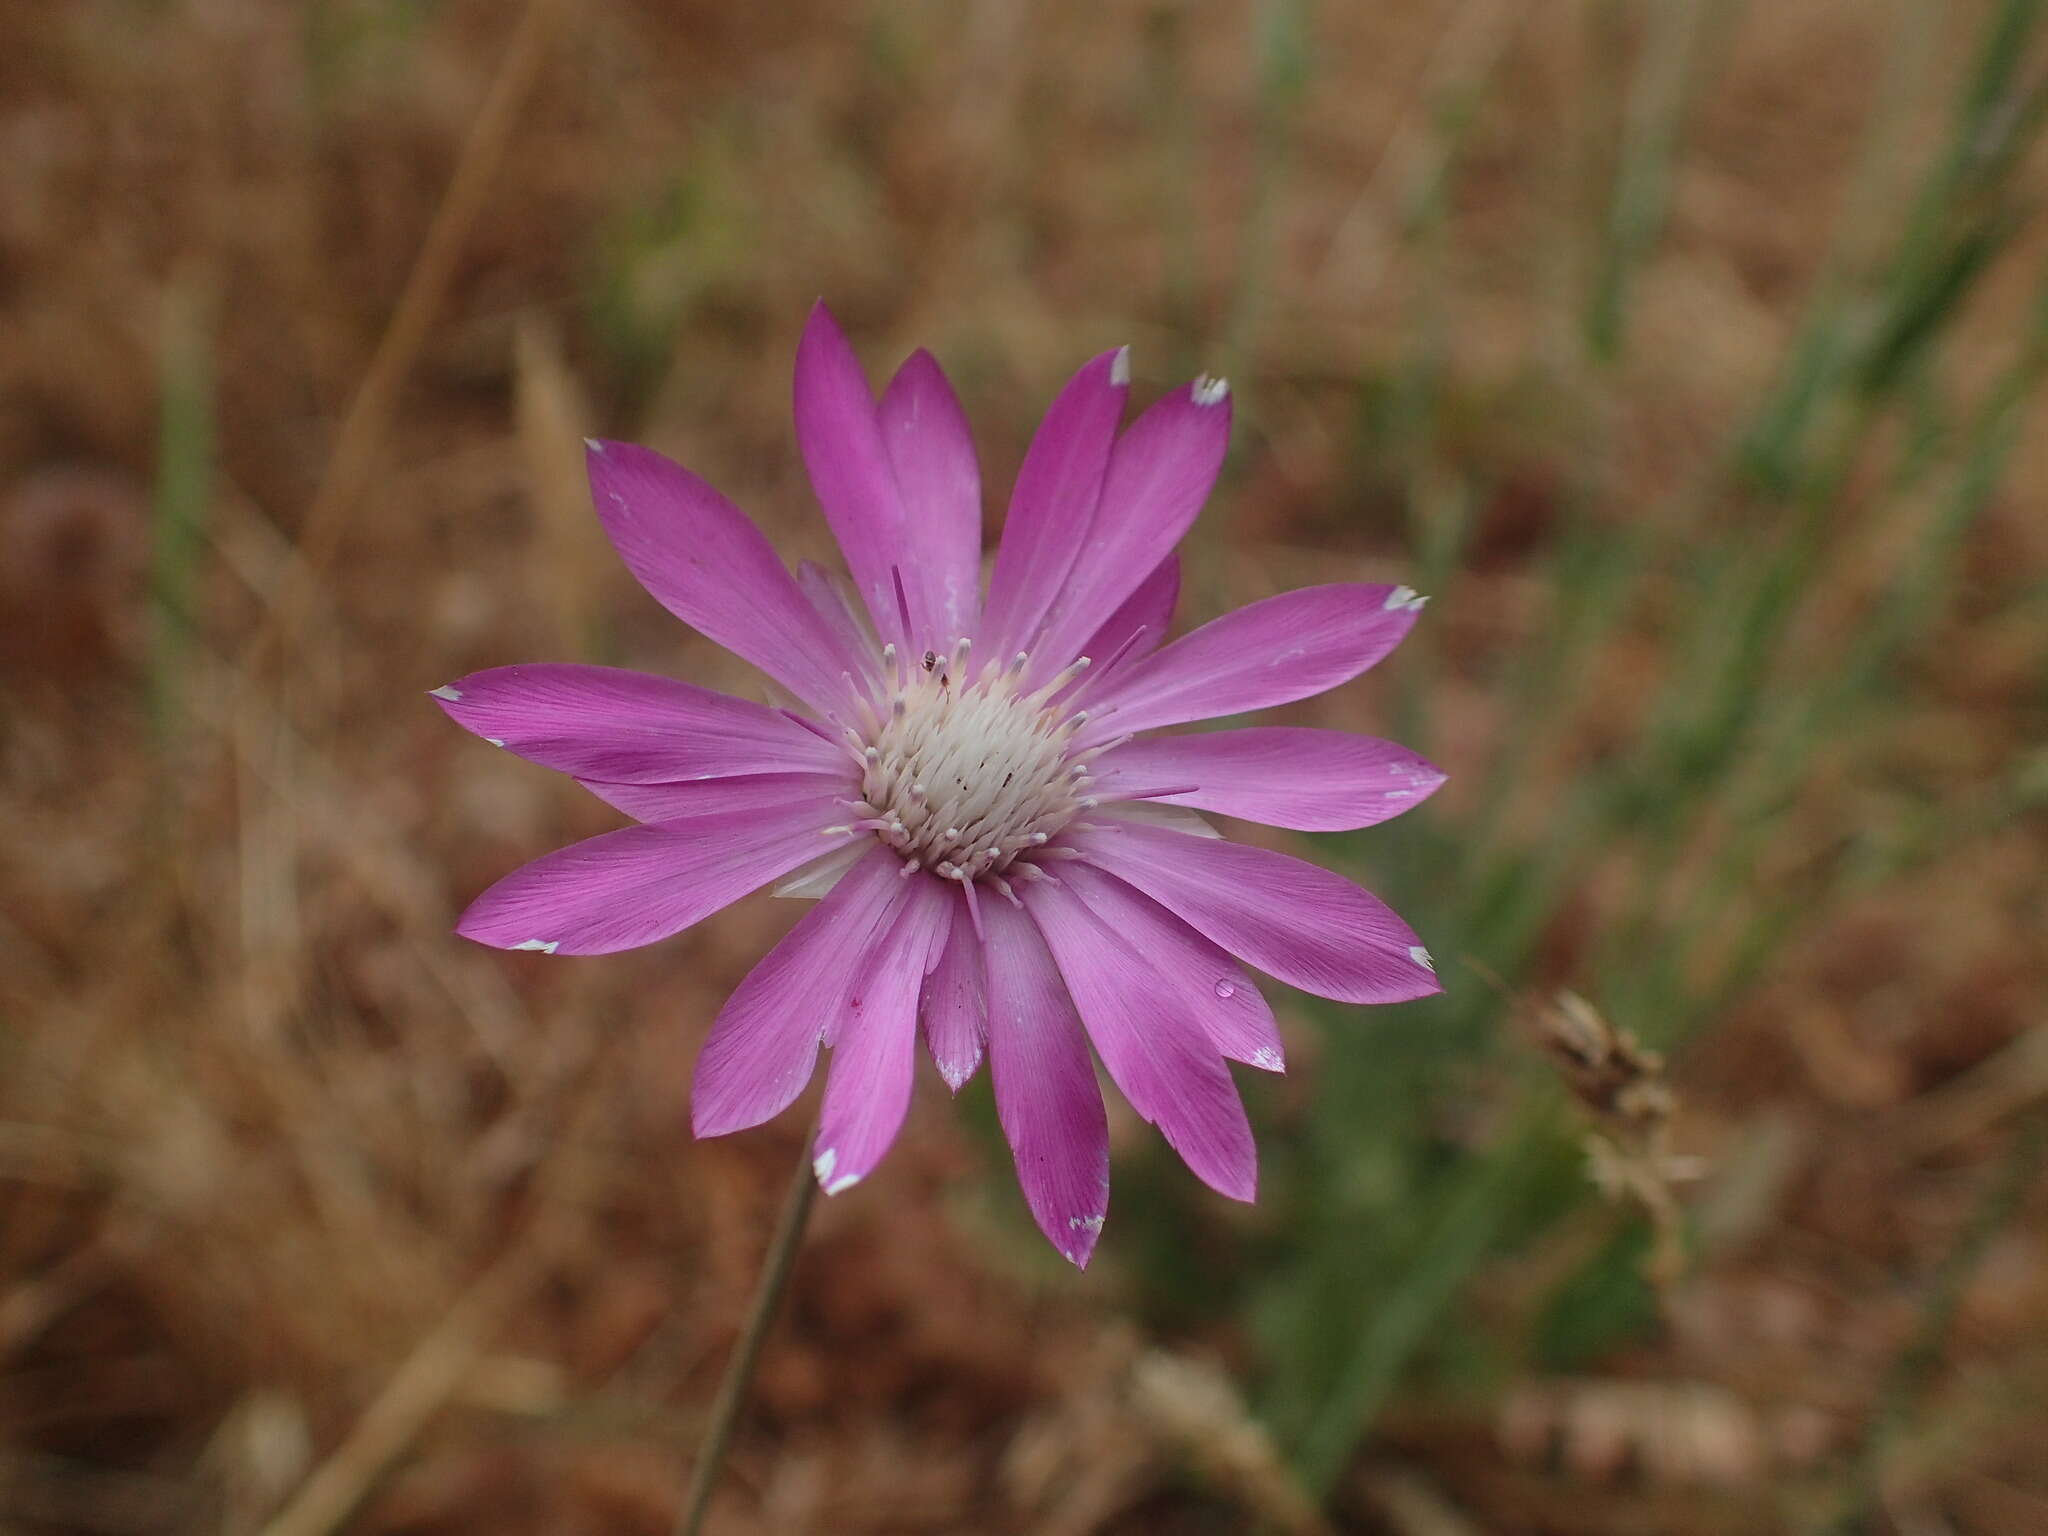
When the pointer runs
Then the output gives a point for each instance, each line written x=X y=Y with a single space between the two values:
x=1046 y=1086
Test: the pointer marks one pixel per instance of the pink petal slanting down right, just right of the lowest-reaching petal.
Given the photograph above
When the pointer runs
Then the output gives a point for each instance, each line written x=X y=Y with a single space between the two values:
x=1160 y=1058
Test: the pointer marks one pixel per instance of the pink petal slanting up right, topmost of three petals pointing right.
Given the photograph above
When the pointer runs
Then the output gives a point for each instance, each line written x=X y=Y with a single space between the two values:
x=1273 y=652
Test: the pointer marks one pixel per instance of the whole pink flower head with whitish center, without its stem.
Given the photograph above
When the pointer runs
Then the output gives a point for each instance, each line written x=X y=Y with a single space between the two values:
x=1007 y=853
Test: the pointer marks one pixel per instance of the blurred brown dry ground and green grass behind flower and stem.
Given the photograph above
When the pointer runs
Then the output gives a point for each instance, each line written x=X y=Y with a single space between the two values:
x=1684 y=351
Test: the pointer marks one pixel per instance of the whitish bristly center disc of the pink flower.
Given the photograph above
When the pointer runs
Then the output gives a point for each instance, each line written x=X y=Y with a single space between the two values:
x=966 y=771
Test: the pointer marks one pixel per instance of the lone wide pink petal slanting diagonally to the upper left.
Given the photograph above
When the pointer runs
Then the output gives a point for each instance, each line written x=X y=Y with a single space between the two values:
x=712 y=568
